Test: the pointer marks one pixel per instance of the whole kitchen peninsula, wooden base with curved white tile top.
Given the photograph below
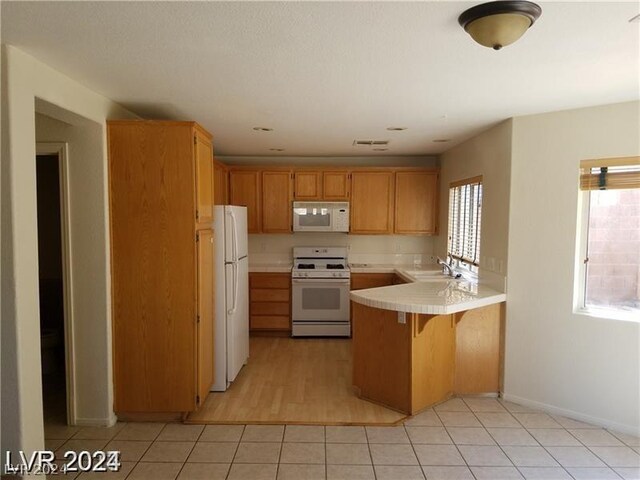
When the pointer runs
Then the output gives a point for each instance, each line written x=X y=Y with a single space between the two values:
x=421 y=342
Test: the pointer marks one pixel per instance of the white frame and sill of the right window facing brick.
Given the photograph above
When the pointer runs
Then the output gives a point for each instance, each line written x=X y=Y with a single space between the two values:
x=580 y=279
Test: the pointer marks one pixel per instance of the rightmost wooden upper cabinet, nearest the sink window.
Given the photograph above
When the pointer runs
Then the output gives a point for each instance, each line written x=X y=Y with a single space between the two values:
x=416 y=202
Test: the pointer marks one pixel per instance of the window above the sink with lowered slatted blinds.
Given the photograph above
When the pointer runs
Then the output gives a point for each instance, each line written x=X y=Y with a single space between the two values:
x=465 y=214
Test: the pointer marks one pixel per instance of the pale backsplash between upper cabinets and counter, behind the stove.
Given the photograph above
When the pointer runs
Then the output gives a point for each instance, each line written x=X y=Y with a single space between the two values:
x=393 y=249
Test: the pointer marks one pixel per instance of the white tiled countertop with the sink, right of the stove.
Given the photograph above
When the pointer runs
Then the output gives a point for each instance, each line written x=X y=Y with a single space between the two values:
x=435 y=296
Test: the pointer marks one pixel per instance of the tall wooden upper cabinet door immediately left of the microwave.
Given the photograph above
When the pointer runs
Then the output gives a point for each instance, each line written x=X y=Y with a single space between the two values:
x=276 y=202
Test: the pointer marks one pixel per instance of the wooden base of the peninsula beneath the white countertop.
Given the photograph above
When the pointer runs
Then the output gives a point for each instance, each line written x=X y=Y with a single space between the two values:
x=411 y=363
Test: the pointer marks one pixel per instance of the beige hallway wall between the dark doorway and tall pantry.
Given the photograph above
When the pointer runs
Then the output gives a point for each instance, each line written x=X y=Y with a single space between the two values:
x=87 y=237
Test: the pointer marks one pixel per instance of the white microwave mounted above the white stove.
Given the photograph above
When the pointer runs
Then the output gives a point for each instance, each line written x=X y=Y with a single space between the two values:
x=321 y=217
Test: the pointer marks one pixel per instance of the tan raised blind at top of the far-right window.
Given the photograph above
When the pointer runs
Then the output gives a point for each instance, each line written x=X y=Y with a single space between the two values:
x=610 y=173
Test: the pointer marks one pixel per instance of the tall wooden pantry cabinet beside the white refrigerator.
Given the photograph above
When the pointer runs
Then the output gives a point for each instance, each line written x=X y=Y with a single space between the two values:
x=161 y=211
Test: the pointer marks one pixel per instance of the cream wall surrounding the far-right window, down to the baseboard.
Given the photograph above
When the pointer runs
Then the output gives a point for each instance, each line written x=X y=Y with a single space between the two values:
x=585 y=367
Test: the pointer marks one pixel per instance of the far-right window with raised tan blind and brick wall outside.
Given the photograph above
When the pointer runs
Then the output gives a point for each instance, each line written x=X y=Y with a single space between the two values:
x=609 y=277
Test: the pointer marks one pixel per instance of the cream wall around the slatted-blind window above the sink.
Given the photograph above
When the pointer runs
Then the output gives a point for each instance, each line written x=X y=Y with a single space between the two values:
x=487 y=154
